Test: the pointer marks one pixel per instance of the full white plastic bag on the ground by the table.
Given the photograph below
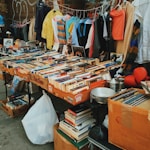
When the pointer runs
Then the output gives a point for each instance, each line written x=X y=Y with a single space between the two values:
x=39 y=121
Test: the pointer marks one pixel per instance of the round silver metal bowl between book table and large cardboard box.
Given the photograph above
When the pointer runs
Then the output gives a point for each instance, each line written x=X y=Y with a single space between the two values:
x=101 y=94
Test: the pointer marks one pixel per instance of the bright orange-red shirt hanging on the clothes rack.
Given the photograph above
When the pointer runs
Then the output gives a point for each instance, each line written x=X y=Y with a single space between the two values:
x=118 y=23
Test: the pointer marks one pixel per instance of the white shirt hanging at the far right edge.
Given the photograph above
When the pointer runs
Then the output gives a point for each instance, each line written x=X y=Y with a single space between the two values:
x=142 y=12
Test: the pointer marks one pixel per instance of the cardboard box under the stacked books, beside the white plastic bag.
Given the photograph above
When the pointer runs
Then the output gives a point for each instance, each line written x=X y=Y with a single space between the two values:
x=60 y=143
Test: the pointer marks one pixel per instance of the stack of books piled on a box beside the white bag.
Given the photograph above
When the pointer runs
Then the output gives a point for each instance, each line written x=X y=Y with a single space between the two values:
x=77 y=122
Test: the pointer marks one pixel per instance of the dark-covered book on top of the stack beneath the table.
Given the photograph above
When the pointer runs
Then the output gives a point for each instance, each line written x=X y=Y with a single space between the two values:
x=79 y=109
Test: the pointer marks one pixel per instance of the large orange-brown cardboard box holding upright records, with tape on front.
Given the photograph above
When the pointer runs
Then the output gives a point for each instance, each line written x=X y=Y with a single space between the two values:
x=129 y=126
